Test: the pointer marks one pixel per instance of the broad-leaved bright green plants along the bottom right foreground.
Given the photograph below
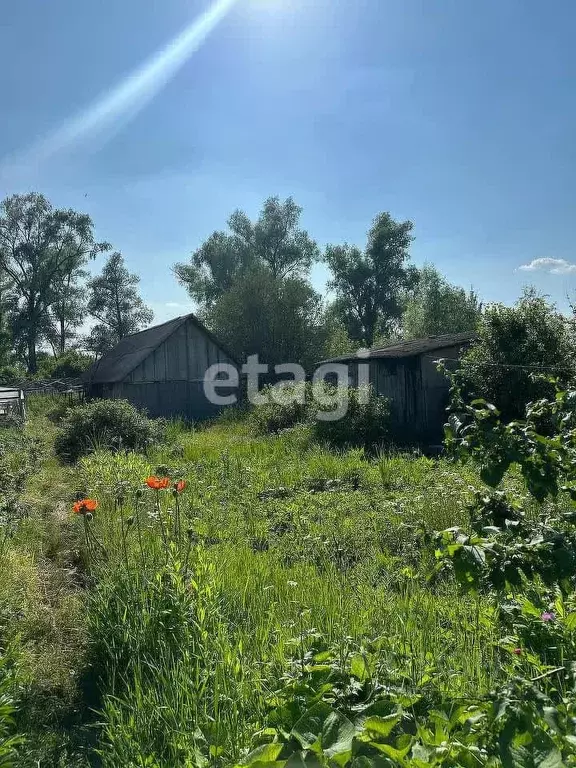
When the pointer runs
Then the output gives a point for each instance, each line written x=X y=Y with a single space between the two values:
x=346 y=709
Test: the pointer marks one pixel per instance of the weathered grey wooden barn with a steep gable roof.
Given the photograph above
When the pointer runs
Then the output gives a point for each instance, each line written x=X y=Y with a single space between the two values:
x=162 y=369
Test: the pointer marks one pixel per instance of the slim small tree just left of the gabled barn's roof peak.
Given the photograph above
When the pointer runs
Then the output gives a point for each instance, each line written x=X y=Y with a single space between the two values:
x=116 y=305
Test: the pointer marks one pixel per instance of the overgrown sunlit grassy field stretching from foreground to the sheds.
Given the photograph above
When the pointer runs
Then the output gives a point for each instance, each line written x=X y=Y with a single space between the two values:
x=162 y=632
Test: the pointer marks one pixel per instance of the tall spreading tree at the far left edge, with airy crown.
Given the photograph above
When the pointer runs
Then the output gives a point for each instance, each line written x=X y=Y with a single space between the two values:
x=39 y=245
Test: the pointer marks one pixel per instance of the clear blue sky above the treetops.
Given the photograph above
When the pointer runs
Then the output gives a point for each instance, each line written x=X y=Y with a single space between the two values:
x=457 y=114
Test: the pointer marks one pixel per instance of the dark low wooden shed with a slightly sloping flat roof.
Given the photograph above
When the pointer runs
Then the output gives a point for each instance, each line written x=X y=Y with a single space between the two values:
x=406 y=372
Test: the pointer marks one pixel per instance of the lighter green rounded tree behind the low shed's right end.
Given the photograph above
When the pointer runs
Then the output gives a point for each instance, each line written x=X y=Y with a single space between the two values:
x=437 y=307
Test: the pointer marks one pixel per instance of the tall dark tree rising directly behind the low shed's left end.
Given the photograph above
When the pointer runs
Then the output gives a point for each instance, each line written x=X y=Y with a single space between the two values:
x=370 y=284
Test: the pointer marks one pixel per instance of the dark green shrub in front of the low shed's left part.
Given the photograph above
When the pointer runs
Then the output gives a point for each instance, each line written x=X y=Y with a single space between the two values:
x=365 y=418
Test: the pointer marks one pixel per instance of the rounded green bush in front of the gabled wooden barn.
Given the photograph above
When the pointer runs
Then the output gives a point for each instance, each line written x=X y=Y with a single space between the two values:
x=114 y=425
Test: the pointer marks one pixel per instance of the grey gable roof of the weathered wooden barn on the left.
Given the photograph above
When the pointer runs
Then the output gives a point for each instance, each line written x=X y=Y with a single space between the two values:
x=117 y=364
